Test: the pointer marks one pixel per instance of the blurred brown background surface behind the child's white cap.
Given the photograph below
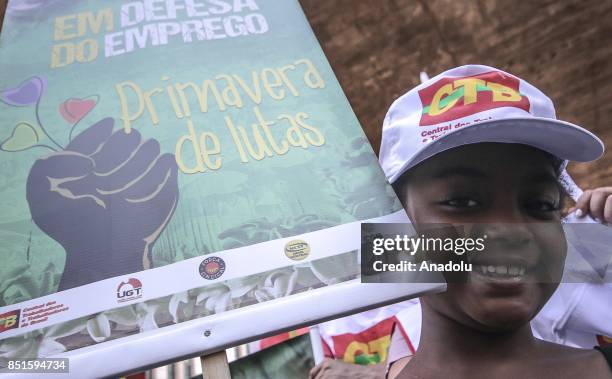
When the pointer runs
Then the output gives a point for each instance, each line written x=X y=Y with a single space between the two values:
x=377 y=49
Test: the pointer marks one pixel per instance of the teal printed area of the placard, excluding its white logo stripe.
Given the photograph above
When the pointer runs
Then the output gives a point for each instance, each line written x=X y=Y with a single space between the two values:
x=315 y=170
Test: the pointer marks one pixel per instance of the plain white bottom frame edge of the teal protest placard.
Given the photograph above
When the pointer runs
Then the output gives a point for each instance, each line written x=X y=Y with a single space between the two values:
x=220 y=331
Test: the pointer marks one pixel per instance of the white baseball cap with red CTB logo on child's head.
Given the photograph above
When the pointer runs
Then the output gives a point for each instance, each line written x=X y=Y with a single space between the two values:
x=472 y=104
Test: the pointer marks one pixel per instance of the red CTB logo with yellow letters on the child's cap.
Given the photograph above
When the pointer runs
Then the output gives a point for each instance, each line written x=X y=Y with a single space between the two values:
x=452 y=98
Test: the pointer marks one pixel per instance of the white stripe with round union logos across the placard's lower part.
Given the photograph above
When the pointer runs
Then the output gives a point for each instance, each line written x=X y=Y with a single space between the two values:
x=158 y=282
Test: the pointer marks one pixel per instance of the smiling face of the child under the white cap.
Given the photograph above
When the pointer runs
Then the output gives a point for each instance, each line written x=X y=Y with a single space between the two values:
x=510 y=190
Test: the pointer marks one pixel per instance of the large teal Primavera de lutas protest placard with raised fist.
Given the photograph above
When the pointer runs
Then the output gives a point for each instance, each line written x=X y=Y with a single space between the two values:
x=177 y=177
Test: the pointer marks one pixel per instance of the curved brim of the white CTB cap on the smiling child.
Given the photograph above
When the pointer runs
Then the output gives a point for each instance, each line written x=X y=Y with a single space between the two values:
x=559 y=138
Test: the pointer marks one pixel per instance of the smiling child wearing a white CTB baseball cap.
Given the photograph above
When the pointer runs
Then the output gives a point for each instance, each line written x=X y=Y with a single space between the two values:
x=478 y=145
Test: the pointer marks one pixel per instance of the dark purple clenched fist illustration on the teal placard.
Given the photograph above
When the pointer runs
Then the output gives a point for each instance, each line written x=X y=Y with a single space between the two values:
x=106 y=198
